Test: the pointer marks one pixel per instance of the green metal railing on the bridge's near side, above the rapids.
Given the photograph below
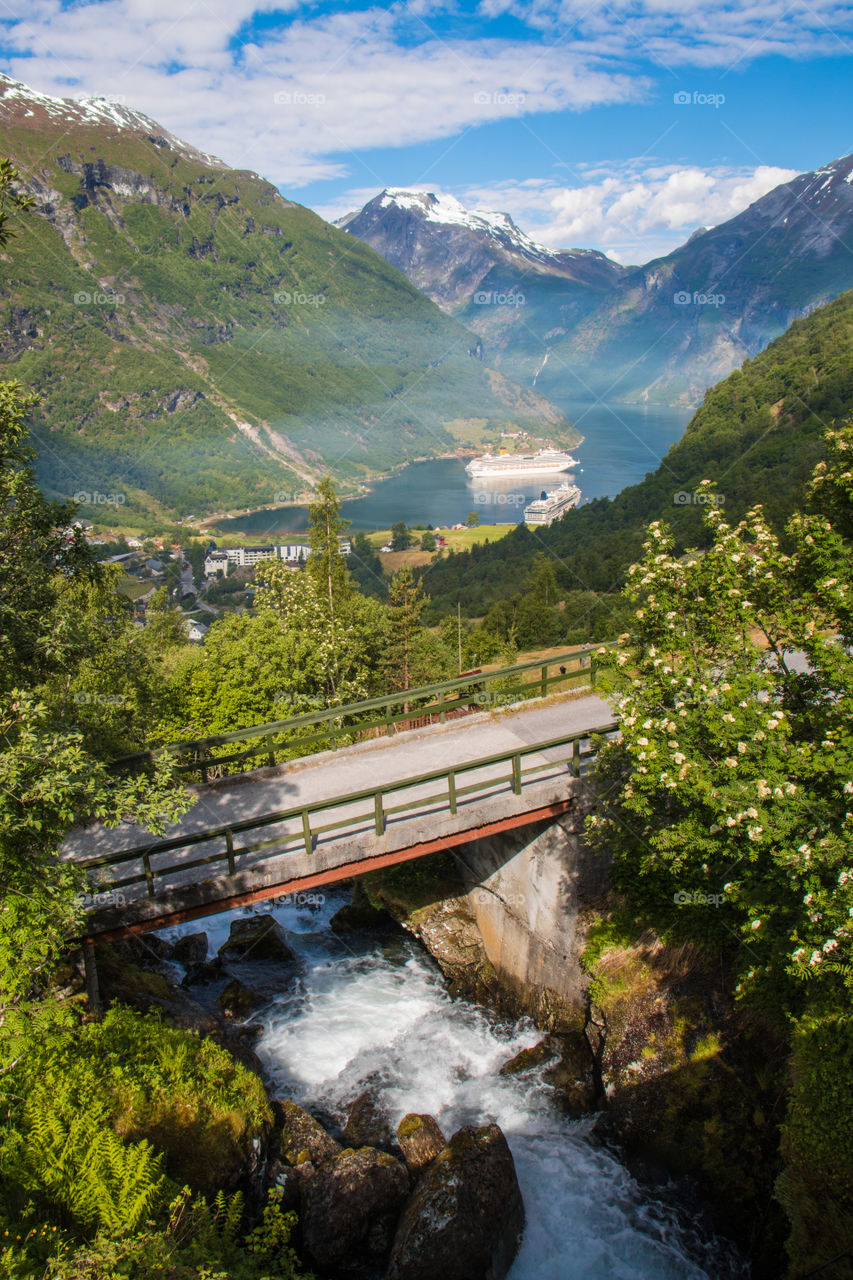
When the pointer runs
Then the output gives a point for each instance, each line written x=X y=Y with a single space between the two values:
x=373 y=812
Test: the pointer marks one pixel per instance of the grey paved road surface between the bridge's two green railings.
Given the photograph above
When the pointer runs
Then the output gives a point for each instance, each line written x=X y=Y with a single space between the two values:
x=361 y=767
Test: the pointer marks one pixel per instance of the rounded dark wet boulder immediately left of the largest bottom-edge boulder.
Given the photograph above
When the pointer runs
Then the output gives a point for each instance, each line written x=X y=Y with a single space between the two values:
x=349 y=1208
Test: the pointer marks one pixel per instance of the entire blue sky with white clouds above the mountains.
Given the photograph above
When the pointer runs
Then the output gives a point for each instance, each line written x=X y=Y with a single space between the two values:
x=618 y=126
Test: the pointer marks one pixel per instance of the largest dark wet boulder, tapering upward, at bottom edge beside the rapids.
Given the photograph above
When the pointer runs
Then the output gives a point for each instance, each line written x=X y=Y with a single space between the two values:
x=466 y=1218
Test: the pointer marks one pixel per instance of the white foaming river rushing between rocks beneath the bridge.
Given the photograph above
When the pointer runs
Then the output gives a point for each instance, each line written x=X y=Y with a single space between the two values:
x=375 y=1014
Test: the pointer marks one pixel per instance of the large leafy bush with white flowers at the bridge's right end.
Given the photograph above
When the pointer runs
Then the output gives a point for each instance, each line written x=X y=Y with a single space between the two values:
x=728 y=801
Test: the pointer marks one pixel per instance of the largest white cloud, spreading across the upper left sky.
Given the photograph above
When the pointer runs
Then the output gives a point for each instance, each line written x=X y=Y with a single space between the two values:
x=312 y=92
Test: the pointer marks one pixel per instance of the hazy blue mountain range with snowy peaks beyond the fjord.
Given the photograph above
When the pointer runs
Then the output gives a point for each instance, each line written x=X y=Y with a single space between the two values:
x=574 y=323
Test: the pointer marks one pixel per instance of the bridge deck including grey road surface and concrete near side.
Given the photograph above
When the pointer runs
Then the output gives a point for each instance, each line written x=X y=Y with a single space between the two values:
x=417 y=820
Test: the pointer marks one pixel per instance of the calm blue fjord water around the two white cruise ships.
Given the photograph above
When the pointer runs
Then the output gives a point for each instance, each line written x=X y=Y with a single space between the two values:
x=622 y=445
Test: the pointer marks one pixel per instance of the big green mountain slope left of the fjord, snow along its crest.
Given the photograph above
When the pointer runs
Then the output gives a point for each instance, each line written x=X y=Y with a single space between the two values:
x=202 y=344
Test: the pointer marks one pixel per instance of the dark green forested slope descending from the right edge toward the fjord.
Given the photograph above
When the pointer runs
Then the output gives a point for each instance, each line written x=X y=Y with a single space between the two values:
x=758 y=436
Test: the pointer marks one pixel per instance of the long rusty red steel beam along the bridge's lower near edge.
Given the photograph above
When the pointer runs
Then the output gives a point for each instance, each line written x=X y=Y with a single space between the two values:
x=336 y=875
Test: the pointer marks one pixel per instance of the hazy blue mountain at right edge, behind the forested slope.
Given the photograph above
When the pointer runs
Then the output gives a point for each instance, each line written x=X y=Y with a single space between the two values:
x=677 y=326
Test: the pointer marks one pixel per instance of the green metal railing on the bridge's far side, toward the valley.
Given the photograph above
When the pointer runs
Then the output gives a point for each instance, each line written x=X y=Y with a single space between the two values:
x=279 y=740
